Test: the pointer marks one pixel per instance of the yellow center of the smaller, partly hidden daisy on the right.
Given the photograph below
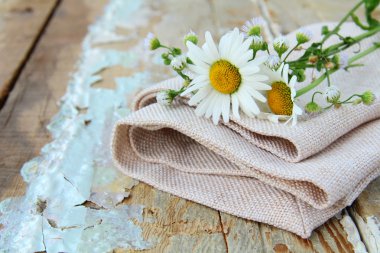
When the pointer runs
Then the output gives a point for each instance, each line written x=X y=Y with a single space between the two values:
x=280 y=99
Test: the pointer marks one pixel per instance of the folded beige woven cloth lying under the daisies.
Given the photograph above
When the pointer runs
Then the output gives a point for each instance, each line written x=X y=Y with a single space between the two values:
x=294 y=178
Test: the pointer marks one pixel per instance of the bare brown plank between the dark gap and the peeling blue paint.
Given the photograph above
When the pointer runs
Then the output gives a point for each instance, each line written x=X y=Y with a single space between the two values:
x=33 y=101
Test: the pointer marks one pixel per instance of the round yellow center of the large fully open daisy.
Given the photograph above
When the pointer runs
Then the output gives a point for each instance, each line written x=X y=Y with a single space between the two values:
x=224 y=77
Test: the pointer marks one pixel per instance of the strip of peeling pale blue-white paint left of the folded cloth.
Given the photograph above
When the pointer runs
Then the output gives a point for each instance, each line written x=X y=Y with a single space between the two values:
x=76 y=165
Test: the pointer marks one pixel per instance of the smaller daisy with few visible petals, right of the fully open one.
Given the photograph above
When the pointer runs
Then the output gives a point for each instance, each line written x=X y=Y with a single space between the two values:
x=281 y=98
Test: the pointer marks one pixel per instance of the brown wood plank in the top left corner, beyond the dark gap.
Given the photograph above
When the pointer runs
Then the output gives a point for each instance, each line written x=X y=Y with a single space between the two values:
x=21 y=23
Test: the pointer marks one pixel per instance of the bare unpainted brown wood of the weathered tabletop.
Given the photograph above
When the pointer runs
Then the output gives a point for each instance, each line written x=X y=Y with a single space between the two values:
x=40 y=42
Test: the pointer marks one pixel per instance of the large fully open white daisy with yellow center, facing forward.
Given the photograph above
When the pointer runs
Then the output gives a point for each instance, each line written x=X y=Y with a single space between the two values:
x=225 y=76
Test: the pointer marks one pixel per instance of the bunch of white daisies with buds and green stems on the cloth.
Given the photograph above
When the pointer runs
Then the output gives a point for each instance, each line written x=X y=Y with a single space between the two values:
x=243 y=73
